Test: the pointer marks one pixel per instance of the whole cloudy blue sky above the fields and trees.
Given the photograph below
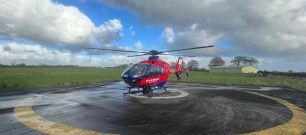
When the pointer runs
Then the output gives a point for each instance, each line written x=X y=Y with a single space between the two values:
x=57 y=32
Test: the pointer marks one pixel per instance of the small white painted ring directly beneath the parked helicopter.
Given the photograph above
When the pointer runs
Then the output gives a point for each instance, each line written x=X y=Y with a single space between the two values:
x=180 y=95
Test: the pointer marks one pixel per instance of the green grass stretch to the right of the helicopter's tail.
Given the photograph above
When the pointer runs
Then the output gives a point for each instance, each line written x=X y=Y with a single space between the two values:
x=242 y=79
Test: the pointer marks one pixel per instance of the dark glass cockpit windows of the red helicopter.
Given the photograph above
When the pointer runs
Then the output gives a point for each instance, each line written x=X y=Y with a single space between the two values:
x=142 y=70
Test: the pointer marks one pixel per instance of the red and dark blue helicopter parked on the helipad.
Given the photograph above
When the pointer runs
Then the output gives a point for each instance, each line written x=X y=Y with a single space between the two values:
x=151 y=74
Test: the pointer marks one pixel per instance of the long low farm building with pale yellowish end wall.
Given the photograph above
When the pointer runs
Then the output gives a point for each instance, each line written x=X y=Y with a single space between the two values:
x=234 y=69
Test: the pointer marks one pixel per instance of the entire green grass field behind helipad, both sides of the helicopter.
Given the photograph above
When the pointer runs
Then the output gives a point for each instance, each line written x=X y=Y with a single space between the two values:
x=37 y=77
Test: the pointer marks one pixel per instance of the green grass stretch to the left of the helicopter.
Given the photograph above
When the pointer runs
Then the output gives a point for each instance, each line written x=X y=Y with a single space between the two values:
x=38 y=77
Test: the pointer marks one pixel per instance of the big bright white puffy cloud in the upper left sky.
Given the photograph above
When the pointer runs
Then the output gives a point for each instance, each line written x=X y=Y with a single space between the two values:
x=54 y=23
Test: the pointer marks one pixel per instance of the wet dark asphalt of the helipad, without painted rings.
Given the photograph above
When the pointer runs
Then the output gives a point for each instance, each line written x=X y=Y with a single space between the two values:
x=104 y=108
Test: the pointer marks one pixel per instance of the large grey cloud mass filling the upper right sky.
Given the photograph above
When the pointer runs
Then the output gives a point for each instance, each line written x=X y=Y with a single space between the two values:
x=274 y=28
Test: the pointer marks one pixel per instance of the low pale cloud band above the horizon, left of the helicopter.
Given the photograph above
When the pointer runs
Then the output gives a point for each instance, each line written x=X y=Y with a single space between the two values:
x=34 y=54
